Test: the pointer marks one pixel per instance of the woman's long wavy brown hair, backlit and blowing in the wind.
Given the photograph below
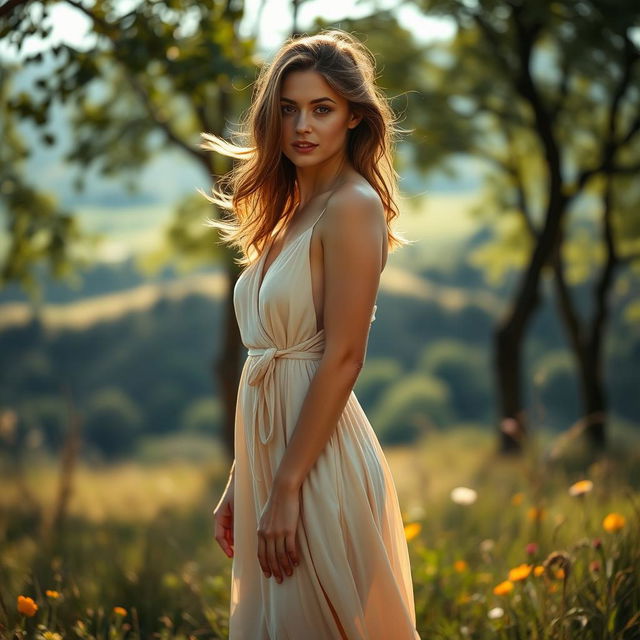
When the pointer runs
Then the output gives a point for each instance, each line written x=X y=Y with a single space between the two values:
x=261 y=190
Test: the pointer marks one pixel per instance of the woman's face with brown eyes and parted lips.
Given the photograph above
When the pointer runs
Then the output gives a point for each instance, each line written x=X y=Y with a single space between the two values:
x=312 y=112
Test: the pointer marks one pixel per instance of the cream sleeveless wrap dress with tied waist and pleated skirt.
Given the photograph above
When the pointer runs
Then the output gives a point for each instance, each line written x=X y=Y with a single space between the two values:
x=350 y=536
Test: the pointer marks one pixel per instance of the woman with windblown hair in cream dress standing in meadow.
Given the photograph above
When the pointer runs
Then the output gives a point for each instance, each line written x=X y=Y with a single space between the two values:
x=310 y=514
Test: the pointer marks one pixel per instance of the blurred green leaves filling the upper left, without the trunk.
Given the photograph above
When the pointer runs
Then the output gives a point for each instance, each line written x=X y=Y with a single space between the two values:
x=154 y=77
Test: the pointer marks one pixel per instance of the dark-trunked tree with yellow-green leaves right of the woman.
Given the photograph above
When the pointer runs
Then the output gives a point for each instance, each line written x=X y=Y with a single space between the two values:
x=547 y=94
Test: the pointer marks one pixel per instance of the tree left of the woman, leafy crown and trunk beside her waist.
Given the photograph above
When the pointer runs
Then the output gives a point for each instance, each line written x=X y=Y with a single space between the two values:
x=160 y=68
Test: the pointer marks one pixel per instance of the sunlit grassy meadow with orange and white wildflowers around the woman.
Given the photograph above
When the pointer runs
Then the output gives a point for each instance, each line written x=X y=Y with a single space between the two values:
x=545 y=546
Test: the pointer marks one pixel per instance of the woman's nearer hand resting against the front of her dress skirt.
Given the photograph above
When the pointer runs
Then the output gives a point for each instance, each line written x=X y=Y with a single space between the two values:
x=277 y=528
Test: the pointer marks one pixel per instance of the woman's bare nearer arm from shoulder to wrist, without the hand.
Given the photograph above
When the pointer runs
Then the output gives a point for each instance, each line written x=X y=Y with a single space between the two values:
x=353 y=238
